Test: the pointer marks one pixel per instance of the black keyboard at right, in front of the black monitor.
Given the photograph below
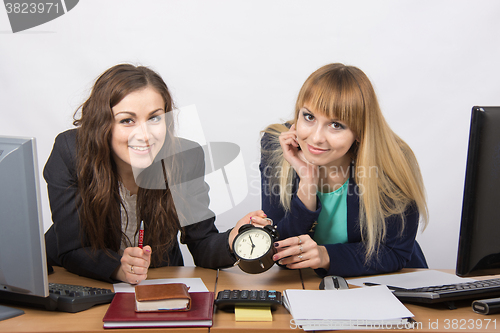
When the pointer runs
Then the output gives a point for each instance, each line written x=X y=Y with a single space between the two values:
x=453 y=292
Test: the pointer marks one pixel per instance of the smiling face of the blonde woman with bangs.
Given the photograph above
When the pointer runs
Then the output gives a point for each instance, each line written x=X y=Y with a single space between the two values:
x=323 y=141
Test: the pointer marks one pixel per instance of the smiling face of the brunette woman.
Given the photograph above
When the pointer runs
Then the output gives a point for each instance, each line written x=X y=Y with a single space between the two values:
x=139 y=129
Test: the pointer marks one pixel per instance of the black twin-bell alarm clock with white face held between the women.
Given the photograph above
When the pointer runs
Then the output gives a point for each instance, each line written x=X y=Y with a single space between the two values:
x=254 y=248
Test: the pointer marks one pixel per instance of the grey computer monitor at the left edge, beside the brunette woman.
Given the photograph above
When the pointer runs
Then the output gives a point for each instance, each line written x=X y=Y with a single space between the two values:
x=23 y=268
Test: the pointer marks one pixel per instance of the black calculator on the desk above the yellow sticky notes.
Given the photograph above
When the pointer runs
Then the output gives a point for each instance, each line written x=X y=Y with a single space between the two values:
x=227 y=299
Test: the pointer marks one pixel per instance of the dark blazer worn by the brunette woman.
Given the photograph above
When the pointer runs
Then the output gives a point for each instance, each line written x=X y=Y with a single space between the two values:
x=66 y=247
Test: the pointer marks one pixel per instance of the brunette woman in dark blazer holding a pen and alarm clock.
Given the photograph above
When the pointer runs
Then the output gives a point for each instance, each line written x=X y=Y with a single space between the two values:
x=122 y=165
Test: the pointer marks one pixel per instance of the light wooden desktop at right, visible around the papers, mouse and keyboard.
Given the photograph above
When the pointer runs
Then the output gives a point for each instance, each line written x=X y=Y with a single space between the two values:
x=437 y=317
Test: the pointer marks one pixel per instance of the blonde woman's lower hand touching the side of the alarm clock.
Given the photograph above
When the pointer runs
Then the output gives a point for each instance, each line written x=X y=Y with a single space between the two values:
x=301 y=252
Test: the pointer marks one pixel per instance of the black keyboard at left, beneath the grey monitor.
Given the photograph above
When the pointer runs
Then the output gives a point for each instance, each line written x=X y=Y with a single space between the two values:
x=62 y=297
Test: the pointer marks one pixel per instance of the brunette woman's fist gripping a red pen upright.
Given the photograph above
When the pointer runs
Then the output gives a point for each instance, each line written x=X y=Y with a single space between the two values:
x=134 y=265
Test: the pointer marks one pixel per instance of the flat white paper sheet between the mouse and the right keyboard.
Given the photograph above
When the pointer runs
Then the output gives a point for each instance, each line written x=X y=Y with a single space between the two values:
x=418 y=279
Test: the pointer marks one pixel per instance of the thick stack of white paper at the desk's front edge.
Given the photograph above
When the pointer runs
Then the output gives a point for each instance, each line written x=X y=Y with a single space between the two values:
x=359 y=308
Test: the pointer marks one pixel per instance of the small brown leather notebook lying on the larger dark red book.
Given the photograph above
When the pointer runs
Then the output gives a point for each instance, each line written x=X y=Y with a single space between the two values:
x=162 y=297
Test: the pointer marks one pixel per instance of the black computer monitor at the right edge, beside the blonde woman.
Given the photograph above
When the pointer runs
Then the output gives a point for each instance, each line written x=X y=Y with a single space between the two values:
x=479 y=242
